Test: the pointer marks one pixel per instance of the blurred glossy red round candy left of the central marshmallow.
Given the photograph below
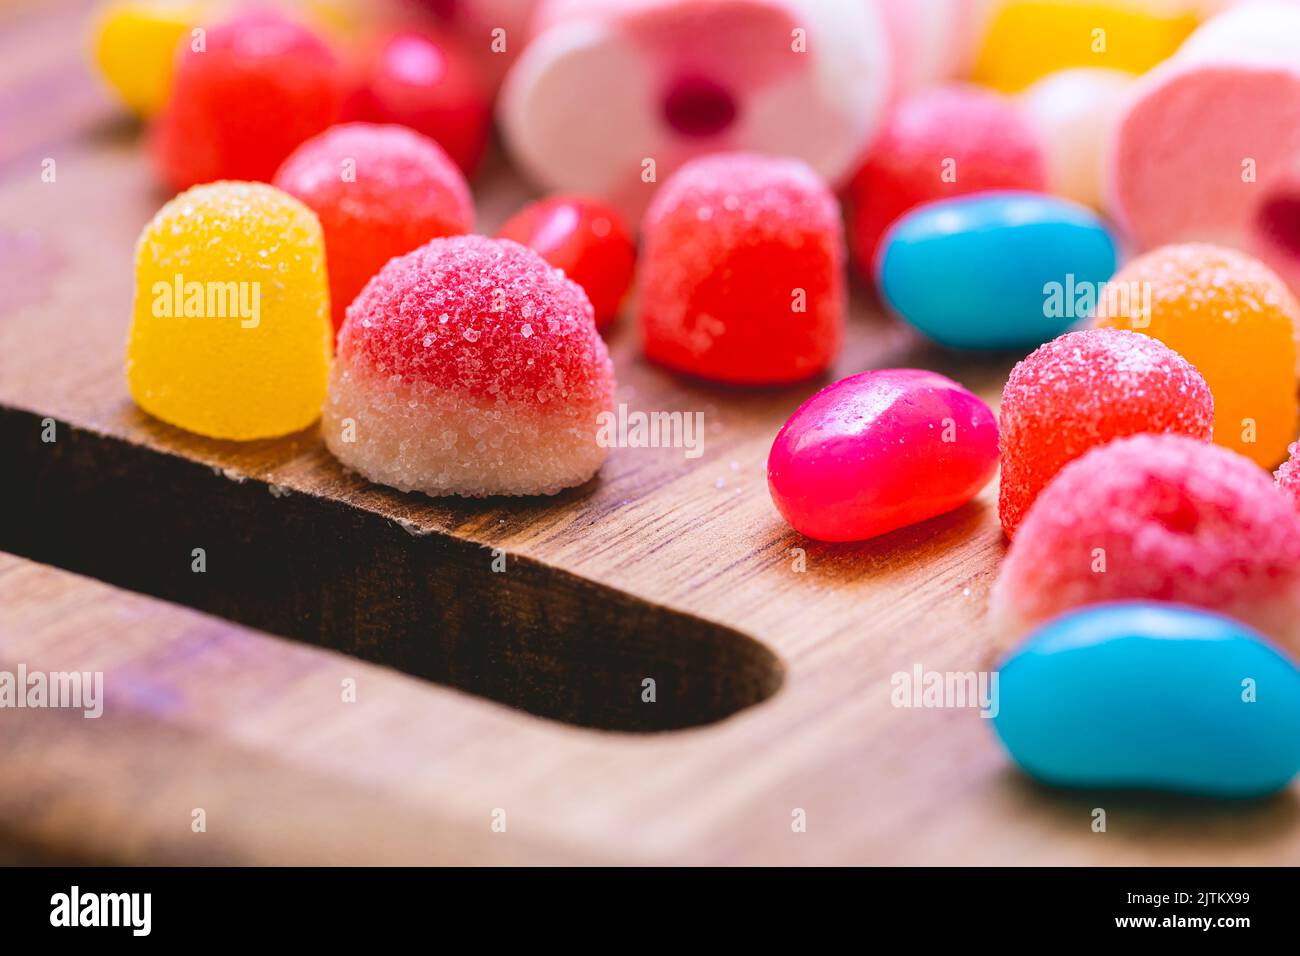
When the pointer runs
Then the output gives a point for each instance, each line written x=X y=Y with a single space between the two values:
x=426 y=83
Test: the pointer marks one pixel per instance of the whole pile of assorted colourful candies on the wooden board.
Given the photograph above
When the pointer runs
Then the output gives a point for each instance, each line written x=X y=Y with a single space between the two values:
x=998 y=165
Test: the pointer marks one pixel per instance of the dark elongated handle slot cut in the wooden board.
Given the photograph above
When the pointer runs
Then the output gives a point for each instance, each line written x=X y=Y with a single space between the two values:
x=339 y=577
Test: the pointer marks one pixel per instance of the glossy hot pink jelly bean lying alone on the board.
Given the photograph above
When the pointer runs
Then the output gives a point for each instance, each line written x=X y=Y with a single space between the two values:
x=881 y=451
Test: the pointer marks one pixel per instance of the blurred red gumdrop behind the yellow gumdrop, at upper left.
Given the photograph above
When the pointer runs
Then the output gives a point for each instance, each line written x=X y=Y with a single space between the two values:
x=262 y=86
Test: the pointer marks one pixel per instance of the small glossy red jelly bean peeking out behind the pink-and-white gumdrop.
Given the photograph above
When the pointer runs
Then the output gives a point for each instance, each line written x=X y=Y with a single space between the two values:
x=584 y=237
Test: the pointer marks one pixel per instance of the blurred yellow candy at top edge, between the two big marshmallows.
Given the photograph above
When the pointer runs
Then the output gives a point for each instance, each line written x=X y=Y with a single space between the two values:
x=1028 y=40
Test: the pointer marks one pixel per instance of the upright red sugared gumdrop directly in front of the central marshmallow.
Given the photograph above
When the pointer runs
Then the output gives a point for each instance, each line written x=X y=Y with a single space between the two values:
x=743 y=271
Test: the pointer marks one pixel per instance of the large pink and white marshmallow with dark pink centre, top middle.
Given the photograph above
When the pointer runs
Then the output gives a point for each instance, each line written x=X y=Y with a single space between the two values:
x=612 y=97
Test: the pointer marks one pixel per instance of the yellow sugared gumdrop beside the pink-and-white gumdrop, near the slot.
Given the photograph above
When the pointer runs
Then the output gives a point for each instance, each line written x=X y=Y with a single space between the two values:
x=232 y=335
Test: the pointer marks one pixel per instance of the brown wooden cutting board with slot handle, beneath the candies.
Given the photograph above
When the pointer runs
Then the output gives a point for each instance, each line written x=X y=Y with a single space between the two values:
x=499 y=716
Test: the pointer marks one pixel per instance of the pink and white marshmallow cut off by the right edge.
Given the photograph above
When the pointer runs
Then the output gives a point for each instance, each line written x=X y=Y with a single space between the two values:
x=1208 y=148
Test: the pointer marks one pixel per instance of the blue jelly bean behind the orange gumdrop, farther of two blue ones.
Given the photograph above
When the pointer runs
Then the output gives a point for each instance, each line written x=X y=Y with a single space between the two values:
x=996 y=270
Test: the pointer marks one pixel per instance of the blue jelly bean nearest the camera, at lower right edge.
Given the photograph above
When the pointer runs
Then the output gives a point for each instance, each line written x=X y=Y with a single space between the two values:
x=1154 y=697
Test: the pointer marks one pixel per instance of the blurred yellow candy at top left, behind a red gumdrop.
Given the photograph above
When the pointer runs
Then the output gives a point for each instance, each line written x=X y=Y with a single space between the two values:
x=136 y=46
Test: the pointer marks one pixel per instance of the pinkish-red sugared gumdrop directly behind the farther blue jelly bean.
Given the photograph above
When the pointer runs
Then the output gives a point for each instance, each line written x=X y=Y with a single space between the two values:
x=944 y=142
